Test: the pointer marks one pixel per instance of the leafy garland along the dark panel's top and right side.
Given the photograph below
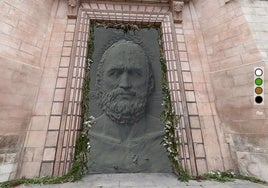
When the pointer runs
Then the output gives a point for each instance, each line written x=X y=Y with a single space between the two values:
x=170 y=141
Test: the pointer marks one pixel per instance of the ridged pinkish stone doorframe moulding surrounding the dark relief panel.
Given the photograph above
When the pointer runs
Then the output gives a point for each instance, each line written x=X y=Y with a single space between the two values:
x=137 y=14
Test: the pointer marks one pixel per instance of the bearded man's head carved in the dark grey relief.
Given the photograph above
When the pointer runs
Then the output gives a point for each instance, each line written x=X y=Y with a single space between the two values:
x=125 y=81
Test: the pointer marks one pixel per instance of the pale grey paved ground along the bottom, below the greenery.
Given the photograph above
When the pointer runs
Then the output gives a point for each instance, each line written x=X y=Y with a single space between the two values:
x=142 y=180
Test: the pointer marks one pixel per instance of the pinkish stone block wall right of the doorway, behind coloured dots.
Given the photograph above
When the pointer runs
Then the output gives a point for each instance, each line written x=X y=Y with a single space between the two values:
x=234 y=43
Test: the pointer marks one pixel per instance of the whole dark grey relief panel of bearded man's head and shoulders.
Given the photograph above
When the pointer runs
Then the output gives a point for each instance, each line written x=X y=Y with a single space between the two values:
x=127 y=133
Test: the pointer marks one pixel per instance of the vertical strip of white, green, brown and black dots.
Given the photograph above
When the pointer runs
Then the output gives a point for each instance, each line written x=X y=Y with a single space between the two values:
x=258 y=85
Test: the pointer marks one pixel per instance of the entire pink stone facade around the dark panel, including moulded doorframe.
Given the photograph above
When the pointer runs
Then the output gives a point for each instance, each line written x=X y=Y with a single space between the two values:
x=210 y=56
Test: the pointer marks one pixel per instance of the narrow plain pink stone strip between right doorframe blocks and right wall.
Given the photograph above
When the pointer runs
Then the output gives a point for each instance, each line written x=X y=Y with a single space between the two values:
x=216 y=150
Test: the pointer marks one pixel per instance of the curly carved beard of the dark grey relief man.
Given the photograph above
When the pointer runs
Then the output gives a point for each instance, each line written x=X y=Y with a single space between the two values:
x=123 y=111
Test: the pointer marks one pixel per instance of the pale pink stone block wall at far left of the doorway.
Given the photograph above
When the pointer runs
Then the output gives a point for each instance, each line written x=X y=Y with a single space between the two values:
x=22 y=37
